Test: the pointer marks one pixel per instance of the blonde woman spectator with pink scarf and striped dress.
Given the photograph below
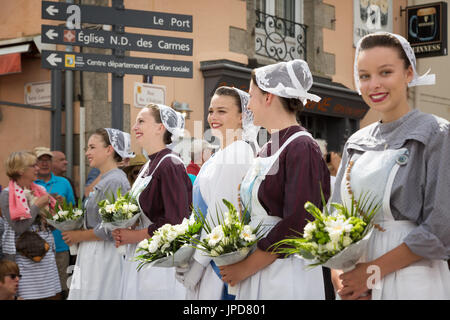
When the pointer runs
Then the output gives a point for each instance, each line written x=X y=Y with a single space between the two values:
x=25 y=228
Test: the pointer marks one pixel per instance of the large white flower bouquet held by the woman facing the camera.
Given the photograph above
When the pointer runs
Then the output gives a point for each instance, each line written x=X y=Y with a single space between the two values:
x=335 y=240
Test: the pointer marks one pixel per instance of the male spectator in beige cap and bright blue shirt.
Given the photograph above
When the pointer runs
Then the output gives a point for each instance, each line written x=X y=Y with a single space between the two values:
x=59 y=188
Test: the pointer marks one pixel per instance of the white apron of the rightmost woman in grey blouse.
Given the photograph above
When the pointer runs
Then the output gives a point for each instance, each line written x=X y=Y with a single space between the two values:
x=375 y=171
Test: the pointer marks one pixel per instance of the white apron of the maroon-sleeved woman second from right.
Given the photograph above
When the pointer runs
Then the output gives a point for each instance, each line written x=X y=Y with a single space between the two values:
x=284 y=278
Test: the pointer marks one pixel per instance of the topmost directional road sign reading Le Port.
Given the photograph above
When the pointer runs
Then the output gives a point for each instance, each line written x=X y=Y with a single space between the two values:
x=112 y=16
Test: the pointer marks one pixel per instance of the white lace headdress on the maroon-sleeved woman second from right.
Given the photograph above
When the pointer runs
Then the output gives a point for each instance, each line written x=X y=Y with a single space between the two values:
x=290 y=79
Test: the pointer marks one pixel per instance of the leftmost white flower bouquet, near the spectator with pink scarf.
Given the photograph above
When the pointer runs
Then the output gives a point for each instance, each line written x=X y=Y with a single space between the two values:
x=67 y=218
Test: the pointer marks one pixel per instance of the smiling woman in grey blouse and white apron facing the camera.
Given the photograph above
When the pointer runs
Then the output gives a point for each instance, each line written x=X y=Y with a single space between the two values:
x=402 y=161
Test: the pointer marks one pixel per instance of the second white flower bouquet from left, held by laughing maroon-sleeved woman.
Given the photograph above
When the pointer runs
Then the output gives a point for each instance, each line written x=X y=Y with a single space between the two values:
x=119 y=211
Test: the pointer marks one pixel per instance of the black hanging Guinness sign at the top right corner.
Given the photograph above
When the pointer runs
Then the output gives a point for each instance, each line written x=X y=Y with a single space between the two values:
x=427 y=29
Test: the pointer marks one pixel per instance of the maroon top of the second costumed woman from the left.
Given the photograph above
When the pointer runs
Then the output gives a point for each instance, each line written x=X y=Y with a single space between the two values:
x=168 y=196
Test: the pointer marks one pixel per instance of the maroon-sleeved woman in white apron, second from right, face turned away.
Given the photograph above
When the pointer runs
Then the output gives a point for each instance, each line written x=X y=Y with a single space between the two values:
x=288 y=171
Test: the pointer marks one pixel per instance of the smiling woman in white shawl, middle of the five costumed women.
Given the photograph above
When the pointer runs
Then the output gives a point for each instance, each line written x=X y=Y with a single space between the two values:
x=219 y=179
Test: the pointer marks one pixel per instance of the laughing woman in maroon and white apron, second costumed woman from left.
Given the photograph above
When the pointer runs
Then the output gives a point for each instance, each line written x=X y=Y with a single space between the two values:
x=164 y=193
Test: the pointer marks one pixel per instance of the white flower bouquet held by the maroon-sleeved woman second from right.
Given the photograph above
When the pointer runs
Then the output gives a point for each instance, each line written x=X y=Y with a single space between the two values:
x=230 y=240
